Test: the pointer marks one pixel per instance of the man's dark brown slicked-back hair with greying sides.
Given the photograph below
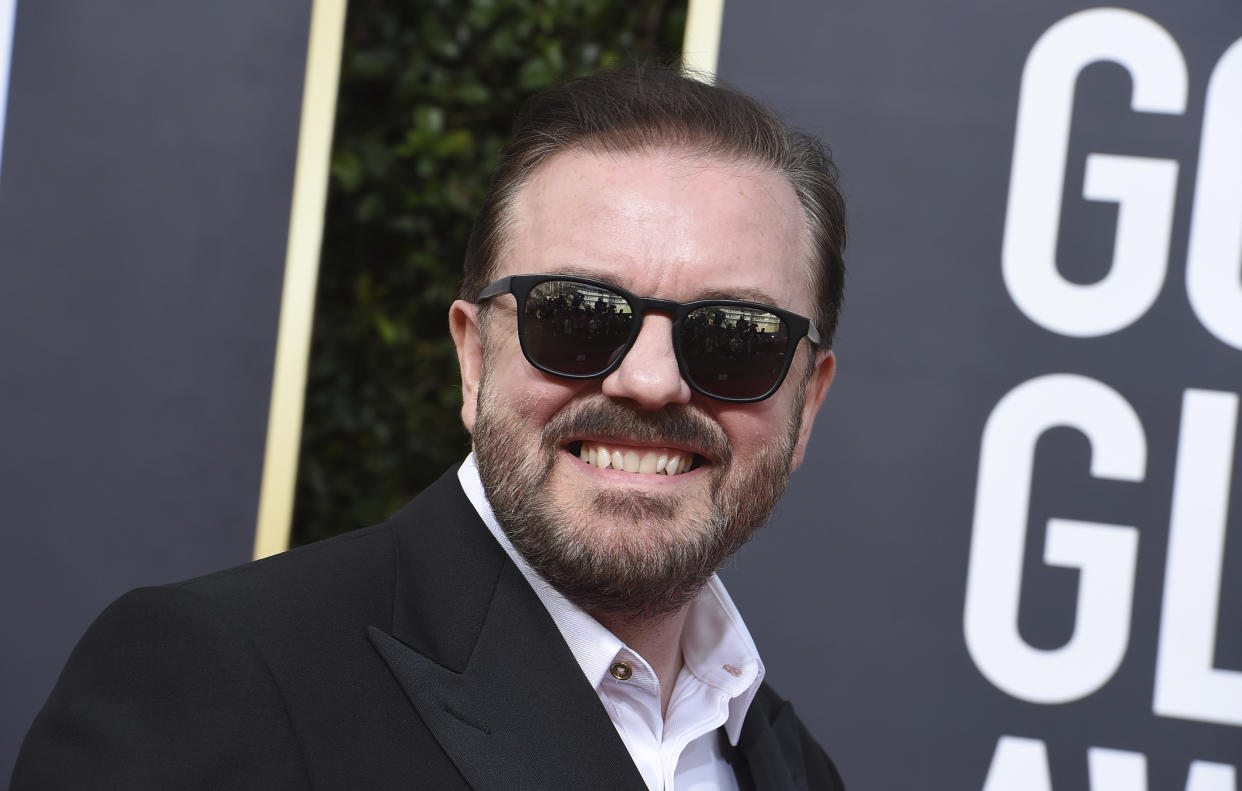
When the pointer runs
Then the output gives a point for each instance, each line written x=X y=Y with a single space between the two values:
x=658 y=107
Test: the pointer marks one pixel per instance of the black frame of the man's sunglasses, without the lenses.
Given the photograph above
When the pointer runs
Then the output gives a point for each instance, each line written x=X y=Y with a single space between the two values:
x=522 y=285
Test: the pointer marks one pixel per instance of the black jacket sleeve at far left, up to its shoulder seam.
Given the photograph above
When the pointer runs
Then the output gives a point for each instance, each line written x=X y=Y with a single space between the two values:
x=137 y=707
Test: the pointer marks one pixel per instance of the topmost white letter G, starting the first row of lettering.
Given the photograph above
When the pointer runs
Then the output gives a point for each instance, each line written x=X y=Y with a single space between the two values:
x=1143 y=187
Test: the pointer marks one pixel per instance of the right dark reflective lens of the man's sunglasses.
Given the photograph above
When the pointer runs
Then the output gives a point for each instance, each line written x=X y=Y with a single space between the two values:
x=735 y=353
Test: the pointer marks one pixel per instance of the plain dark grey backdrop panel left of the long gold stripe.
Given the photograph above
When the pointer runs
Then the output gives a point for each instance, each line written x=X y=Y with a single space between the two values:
x=145 y=207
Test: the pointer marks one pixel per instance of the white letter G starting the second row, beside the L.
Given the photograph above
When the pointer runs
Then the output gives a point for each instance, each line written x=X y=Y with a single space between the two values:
x=1104 y=553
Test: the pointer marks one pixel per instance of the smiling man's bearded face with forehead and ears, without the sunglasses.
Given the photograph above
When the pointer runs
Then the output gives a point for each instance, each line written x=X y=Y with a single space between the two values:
x=668 y=225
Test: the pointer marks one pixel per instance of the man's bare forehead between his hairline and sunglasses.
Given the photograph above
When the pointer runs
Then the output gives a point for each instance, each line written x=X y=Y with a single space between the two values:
x=664 y=224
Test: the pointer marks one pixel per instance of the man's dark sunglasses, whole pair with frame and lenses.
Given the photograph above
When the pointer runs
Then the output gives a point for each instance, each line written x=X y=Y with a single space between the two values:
x=726 y=350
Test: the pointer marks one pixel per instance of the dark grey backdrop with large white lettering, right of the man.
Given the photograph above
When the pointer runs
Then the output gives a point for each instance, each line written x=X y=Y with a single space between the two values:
x=1107 y=392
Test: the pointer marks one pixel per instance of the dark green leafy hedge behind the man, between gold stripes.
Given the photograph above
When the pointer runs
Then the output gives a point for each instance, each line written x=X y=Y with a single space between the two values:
x=428 y=93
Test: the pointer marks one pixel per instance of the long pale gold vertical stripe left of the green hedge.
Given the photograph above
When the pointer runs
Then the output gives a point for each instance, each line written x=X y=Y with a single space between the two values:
x=301 y=271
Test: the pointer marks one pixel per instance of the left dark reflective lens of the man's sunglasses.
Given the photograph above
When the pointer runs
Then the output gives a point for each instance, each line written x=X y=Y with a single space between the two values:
x=576 y=328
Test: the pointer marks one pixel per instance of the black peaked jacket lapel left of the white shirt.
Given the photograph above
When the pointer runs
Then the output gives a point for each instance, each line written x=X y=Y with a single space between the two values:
x=485 y=666
